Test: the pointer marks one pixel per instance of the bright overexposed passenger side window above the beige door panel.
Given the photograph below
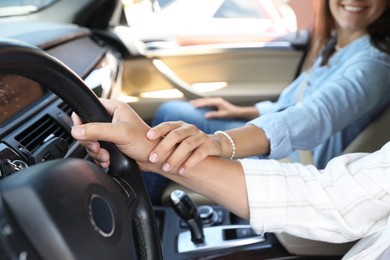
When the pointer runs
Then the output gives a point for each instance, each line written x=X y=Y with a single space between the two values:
x=180 y=19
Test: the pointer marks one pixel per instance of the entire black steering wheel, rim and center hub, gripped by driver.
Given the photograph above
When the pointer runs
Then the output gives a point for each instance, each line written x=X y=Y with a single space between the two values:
x=70 y=208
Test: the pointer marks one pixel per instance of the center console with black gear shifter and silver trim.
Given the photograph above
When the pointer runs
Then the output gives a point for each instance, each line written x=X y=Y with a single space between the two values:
x=219 y=233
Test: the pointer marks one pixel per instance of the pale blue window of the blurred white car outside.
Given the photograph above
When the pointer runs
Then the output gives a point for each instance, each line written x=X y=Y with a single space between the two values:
x=239 y=9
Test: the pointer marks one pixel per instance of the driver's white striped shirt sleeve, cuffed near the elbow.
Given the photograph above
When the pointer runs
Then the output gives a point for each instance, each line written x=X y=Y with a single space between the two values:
x=348 y=200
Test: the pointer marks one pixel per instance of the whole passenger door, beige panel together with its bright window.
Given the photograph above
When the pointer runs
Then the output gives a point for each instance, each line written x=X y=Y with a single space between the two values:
x=253 y=49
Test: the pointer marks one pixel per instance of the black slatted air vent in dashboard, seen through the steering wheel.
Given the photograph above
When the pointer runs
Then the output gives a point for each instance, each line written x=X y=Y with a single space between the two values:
x=42 y=131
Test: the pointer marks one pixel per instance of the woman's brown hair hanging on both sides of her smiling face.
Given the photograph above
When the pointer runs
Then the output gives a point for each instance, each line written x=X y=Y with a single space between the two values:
x=324 y=25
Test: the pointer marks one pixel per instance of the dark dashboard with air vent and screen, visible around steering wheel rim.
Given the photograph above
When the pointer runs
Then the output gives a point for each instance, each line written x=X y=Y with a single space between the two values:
x=30 y=115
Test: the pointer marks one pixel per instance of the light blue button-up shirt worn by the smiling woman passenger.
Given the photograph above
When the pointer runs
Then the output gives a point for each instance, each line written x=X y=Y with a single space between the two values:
x=338 y=101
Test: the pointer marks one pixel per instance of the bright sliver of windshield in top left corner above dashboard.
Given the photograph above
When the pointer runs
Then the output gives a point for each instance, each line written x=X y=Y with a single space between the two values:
x=20 y=7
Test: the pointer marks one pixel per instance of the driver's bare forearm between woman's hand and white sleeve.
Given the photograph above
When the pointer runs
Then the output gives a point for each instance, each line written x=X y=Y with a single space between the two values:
x=221 y=180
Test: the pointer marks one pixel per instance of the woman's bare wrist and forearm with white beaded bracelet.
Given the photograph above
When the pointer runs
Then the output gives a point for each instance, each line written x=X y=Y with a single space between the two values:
x=249 y=141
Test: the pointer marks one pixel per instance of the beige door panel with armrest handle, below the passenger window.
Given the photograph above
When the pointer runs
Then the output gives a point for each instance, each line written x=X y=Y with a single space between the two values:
x=250 y=71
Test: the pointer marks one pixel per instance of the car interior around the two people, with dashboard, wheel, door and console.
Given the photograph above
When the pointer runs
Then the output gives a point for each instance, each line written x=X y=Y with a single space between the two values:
x=59 y=58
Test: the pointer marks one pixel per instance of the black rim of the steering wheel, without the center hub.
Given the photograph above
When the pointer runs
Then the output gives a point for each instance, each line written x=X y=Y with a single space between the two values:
x=27 y=60
